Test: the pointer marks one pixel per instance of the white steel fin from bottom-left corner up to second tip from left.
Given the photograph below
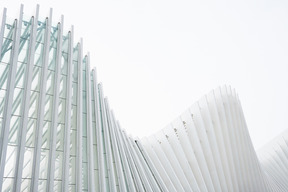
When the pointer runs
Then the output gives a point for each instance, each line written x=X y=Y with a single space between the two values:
x=9 y=95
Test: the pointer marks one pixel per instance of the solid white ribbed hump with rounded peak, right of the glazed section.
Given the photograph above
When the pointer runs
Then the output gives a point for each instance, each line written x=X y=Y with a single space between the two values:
x=207 y=148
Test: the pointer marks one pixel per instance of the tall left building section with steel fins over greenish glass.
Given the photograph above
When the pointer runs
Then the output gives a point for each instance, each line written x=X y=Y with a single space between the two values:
x=57 y=130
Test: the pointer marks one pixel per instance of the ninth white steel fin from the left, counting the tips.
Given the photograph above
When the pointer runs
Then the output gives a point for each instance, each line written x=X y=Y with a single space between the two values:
x=99 y=138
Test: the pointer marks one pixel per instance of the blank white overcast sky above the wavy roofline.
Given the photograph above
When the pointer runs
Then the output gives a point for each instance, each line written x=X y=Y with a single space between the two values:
x=157 y=57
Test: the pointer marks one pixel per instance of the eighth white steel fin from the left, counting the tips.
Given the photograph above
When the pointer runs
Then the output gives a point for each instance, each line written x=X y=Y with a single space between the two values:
x=91 y=182
